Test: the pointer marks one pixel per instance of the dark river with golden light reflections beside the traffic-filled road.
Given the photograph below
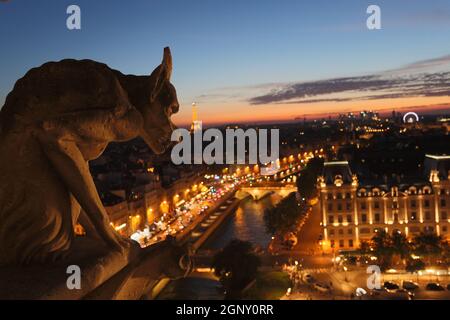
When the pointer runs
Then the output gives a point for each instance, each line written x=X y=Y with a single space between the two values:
x=247 y=223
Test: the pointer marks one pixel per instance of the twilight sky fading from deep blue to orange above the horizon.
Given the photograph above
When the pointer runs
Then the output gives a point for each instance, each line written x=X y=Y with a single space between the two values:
x=249 y=60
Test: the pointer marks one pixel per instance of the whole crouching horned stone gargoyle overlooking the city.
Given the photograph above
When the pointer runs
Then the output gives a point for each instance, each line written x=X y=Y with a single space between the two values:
x=58 y=117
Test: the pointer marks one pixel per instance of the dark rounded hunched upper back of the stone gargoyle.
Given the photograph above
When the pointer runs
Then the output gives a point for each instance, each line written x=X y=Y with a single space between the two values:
x=59 y=87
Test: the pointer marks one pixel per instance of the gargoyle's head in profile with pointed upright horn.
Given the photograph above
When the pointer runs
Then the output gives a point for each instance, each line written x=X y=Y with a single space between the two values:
x=163 y=103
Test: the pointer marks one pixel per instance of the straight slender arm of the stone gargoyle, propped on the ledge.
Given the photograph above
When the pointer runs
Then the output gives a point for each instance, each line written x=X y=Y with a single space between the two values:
x=73 y=169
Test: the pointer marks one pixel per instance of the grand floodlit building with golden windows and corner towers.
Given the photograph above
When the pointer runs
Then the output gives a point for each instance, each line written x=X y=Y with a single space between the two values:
x=353 y=211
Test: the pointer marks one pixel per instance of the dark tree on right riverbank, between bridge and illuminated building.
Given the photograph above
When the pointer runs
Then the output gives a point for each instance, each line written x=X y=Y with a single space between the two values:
x=284 y=216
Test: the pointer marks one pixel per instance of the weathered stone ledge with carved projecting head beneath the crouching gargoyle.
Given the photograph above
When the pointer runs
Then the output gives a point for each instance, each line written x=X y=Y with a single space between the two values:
x=105 y=274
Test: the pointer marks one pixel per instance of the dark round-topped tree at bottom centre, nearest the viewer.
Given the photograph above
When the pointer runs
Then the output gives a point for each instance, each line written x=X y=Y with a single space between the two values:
x=236 y=265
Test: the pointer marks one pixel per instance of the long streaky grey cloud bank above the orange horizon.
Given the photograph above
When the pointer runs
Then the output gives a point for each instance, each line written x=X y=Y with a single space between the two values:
x=415 y=79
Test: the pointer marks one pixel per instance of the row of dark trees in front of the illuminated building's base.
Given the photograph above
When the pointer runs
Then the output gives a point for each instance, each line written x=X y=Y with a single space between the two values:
x=395 y=248
